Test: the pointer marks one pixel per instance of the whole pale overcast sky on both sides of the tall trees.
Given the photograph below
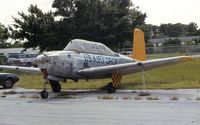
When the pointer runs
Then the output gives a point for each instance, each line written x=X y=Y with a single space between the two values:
x=158 y=11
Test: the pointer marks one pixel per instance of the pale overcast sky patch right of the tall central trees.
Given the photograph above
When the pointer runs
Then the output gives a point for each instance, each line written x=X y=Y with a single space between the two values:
x=170 y=11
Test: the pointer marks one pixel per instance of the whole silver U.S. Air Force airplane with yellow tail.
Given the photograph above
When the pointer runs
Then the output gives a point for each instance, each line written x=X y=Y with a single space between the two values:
x=82 y=59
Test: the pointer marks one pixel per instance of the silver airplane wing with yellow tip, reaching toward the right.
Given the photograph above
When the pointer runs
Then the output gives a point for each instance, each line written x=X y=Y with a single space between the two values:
x=129 y=68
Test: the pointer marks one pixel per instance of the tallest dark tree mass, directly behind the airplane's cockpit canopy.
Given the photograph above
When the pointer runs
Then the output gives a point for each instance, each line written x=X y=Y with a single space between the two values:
x=107 y=21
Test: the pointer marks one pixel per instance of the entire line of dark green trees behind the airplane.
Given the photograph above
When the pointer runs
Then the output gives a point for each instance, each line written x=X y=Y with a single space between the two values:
x=107 y=21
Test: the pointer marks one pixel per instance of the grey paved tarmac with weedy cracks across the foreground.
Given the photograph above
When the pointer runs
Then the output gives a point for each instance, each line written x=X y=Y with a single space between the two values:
x=125 y=107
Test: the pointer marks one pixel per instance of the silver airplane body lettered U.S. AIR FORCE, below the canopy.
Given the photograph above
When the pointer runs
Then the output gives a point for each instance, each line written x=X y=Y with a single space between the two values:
x=64 y=64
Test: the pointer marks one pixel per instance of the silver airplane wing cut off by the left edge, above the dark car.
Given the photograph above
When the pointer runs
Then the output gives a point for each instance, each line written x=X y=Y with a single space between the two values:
x=23 y=69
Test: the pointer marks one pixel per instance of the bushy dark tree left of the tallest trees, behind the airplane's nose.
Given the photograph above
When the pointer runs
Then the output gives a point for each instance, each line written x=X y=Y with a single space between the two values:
x=35 y=28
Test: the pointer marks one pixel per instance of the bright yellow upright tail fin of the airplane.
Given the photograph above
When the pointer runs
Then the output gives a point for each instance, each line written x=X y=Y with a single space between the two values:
x=139 y=50
